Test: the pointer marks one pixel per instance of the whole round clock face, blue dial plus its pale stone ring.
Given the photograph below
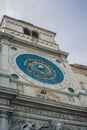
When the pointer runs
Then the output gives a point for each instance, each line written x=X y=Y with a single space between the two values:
x=39 y=70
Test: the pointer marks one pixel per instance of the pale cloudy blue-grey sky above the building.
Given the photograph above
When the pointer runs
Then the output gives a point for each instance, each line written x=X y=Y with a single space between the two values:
x=68 y=18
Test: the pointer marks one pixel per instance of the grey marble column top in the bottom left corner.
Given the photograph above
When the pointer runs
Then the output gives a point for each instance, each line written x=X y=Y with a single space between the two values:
x=3 y=120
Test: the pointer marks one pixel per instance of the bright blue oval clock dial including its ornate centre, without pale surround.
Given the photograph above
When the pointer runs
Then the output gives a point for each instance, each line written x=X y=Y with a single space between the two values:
x=39 y=68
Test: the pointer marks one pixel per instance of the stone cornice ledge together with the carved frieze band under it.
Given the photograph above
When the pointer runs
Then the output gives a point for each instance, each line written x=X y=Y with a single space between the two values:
x=49 y=109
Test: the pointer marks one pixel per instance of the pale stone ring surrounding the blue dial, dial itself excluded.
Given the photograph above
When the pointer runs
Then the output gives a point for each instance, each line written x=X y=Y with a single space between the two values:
x=29 y=80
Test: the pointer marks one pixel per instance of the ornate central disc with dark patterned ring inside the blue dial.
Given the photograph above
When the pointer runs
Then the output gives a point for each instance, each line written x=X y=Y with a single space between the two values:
x=39 y=68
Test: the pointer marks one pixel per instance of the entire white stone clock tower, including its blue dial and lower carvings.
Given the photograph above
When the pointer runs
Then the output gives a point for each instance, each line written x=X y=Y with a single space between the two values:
x=38 y=89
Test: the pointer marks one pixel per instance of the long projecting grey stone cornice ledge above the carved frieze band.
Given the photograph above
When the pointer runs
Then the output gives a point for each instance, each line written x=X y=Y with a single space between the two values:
x=30 y=101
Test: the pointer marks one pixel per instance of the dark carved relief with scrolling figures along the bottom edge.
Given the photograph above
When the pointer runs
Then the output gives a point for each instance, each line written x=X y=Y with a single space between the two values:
x=28 y=124
